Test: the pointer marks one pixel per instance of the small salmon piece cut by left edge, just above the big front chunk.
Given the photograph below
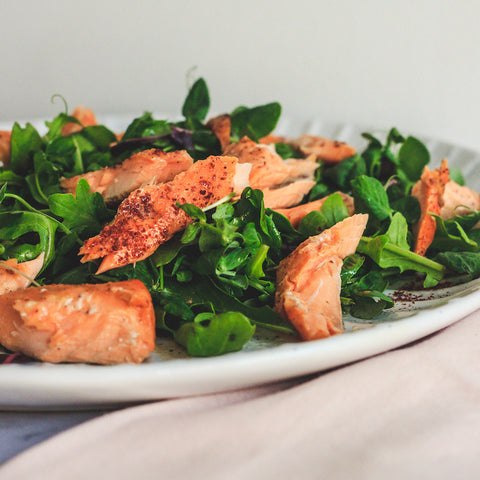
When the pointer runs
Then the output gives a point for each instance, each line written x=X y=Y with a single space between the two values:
x=21 y=275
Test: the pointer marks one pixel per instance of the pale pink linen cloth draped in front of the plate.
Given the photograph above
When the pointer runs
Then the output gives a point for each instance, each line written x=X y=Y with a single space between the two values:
x=410 y=413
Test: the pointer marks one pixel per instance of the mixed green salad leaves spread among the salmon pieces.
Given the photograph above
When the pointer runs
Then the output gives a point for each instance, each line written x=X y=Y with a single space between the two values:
x=213 y=284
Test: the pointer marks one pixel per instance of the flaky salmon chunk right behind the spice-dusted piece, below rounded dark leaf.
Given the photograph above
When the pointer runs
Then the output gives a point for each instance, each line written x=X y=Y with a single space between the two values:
x=268 y=168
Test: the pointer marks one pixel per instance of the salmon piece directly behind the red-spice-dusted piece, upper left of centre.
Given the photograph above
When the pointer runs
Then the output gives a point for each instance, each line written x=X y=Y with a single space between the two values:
x=148 y=166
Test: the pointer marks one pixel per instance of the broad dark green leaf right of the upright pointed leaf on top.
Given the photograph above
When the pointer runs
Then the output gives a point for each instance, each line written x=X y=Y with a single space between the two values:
x=255 y=122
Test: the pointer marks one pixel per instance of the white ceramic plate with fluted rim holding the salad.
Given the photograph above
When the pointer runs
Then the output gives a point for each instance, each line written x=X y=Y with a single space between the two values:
x=268 y=357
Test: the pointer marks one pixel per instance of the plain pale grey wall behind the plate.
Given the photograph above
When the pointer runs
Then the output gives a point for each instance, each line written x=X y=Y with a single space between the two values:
x=412 y=64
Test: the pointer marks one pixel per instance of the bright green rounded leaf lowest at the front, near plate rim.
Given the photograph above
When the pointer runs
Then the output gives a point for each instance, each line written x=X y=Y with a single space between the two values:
x=219 y=334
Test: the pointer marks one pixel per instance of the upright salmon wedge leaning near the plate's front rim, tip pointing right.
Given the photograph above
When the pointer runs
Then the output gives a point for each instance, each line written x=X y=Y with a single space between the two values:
x=308 y=281
